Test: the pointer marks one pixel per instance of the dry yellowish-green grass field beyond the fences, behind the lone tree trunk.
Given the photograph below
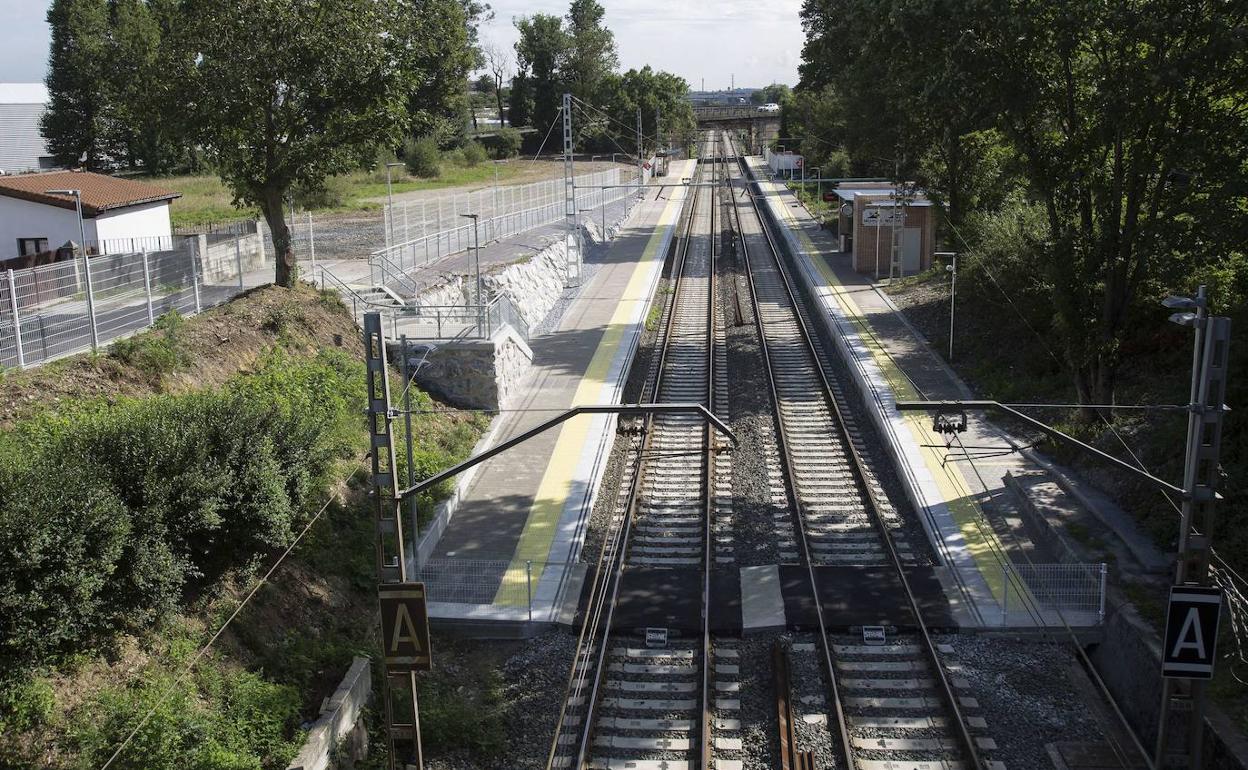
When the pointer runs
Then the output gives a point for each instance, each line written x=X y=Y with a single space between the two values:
x=207 y=199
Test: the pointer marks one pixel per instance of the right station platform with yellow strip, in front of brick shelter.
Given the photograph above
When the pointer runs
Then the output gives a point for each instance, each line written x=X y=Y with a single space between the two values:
x=993 y=575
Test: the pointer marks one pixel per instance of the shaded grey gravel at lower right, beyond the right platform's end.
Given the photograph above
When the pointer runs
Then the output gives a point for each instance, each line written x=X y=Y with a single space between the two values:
x=1028 y=693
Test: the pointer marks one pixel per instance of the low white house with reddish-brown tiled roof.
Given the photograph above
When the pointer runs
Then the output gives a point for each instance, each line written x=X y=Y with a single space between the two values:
x=118 y=215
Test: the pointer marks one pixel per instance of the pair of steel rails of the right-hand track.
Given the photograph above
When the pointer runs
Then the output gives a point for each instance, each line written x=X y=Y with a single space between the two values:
x=873 y=504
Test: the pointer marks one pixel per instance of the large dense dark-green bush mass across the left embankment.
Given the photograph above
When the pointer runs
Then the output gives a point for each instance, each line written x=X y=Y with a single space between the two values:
x=112 y=514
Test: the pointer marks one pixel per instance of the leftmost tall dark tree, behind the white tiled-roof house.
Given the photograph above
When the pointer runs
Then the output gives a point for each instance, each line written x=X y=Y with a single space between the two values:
x=77 y=120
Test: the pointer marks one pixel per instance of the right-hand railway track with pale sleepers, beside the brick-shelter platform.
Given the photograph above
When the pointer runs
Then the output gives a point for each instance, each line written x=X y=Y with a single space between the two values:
x=897 y=703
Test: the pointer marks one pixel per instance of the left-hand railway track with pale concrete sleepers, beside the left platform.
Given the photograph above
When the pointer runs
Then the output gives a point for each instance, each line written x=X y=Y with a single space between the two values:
x=633 y=702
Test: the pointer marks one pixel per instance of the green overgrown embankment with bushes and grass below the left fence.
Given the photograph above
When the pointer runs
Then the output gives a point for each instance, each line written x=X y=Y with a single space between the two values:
x=142 y=492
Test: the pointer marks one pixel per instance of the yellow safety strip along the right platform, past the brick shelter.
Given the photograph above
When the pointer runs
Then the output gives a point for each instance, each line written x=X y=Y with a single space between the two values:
x=982 y=541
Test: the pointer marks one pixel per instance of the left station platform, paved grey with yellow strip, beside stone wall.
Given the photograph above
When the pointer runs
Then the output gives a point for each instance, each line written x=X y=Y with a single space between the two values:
x=509 y=552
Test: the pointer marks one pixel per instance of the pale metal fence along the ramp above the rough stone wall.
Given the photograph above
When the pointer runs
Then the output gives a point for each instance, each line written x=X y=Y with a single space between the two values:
x=502 y=214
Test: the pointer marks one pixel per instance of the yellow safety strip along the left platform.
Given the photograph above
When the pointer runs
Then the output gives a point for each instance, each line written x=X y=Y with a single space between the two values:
x=556 y=487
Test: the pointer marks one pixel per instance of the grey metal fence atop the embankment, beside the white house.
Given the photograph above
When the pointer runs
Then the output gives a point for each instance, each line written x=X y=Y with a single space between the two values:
x=67 y=308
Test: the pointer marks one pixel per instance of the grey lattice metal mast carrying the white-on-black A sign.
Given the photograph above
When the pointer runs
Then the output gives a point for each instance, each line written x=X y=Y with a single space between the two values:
x=1201 y=477
